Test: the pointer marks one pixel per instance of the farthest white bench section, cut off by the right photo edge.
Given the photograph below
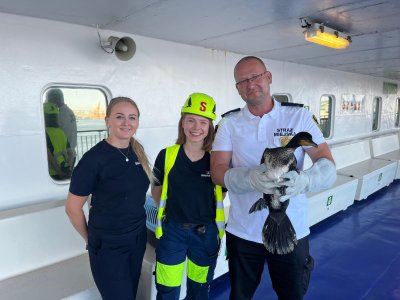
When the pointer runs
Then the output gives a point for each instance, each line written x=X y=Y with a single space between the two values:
x=387 y=148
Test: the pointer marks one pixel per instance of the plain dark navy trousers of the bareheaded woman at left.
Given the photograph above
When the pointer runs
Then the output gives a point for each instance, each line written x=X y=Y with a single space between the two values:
x=116 y=263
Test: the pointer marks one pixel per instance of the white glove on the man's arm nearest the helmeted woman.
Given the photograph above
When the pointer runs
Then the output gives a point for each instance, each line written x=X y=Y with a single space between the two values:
x=243 y=180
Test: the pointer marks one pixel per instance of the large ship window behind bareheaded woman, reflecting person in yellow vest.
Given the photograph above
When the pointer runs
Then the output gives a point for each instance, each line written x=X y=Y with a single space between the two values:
x=74 y=122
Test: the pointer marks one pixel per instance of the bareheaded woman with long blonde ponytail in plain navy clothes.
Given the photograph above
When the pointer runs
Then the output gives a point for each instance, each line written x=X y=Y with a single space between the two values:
x=117 y=174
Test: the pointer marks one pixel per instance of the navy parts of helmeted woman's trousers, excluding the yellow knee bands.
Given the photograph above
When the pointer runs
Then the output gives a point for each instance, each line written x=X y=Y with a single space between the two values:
x=179 y=242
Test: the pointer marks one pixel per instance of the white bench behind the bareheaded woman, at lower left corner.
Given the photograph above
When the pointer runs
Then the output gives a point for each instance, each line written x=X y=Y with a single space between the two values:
x=42 y=256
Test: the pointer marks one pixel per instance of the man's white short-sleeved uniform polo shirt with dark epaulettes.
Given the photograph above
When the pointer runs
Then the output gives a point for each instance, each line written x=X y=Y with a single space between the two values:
x=247 y=136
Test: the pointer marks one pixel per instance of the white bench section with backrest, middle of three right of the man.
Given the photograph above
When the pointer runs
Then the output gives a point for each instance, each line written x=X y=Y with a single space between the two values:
x=355 y=160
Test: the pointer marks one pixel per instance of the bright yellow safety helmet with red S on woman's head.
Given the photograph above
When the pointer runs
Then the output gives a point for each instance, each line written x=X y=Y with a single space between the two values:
x=200 y=104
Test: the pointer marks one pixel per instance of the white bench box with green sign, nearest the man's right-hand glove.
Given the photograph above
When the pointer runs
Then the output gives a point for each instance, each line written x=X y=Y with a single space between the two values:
x=324 y=204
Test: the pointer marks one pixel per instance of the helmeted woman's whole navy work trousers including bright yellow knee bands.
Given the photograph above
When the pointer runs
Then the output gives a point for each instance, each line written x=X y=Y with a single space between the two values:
x=200 y=247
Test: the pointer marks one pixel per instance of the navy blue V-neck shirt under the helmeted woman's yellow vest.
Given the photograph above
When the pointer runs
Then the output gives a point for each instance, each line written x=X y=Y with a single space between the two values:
x=190 y=189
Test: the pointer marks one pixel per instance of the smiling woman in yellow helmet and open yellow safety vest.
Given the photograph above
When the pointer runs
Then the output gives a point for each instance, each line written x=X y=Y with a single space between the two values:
x=190 y=221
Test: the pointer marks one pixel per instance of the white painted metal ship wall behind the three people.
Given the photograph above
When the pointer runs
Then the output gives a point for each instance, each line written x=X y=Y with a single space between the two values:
x=36 y=53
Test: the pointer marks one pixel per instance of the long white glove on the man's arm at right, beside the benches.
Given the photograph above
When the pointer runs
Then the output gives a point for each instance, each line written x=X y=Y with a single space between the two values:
x=320 y=176
